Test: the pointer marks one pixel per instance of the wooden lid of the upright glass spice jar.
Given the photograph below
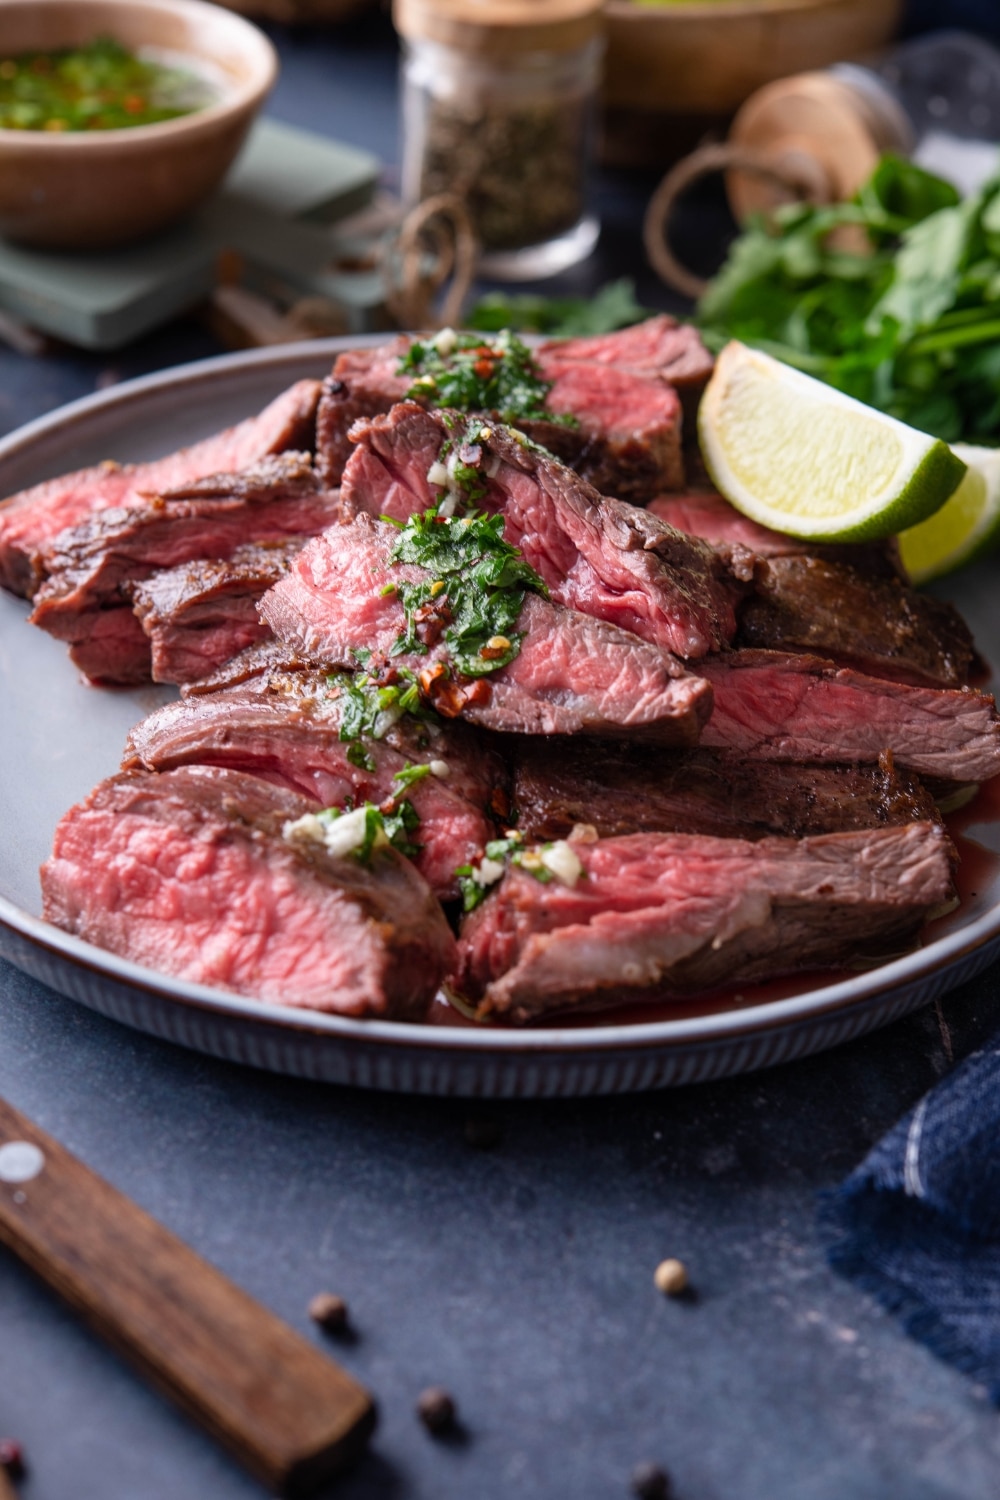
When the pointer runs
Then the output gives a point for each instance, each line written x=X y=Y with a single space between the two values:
x=501 y=26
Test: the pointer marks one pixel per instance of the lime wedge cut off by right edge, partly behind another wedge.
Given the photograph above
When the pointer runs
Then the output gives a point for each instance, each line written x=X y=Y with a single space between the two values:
x=965 y=529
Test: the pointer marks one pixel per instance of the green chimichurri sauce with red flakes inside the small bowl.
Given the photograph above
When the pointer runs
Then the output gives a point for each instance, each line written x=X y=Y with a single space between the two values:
x=95 y=88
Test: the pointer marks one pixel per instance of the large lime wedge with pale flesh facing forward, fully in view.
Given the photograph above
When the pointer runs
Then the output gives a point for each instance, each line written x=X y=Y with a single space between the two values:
x=806 y=460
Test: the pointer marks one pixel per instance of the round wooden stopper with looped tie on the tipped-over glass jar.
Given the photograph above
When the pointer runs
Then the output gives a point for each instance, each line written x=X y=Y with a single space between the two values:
x=815 y=137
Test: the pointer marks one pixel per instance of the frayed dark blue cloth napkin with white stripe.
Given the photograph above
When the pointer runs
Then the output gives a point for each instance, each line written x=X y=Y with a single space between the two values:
x=918 y=1223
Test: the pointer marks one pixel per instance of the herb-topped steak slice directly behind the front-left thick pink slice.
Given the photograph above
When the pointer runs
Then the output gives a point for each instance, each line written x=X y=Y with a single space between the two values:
x=287 y=728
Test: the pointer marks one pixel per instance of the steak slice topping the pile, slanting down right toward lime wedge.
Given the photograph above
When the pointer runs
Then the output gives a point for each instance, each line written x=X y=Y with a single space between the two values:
x=596 y=554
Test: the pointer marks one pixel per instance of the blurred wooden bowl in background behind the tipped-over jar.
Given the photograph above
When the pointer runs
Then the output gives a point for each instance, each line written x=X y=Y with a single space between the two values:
x=707 y=59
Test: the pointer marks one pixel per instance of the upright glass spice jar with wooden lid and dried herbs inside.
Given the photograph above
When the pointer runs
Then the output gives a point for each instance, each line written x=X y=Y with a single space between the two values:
x=500 y=112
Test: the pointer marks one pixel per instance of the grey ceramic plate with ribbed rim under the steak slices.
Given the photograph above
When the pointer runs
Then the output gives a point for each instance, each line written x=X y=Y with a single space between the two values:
x=58 y=739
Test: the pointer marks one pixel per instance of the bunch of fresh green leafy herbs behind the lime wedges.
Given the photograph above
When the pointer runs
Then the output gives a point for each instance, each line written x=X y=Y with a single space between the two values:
x=893 y=298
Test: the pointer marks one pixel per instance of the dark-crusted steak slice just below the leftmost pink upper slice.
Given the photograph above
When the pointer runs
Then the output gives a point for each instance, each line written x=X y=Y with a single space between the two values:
x=91 y=565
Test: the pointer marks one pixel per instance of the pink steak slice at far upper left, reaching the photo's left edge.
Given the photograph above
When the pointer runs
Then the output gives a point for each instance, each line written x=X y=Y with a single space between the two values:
x=34 y=518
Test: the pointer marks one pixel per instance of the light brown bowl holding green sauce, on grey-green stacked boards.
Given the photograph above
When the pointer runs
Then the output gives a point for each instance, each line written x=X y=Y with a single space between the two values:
x=103 y=188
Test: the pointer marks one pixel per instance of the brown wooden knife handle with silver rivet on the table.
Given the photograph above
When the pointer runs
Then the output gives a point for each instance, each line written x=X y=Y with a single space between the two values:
x=286 y=1411
